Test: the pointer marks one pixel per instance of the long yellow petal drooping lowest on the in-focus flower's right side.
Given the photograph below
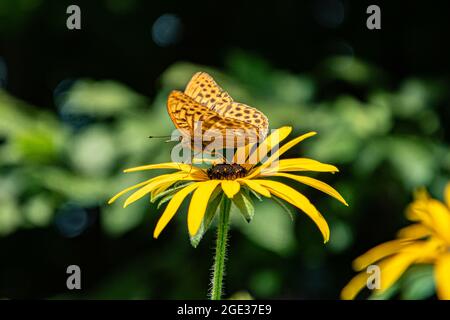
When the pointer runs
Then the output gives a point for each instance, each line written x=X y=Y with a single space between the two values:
x=300 y=201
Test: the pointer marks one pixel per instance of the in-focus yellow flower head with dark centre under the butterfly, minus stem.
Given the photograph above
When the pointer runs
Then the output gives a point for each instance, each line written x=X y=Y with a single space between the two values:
x=234 y=181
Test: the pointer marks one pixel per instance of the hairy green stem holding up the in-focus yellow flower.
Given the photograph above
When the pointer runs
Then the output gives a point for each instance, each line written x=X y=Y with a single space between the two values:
x=221 y=248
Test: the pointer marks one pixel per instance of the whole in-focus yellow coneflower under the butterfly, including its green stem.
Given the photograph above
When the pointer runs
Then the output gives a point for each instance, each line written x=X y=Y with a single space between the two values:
x=217 y=186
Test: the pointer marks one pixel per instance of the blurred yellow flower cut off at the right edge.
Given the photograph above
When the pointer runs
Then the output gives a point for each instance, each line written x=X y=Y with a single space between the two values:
x=427 y=241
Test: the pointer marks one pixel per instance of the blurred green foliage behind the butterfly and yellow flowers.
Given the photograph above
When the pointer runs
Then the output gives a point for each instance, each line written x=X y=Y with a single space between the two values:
x=58 y=167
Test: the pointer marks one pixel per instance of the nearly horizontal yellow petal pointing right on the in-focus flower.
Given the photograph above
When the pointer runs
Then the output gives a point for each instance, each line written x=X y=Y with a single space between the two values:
x=299 y=164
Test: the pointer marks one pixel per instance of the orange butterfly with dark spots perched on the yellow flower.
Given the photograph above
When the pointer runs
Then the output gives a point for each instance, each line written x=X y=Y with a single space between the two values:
x=205 y=108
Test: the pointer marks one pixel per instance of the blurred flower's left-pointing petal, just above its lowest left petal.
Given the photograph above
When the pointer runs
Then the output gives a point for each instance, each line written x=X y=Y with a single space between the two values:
x=379 y=252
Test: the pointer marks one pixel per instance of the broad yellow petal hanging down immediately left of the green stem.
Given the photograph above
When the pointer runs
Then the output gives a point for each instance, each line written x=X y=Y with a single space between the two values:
x=198 y=204
